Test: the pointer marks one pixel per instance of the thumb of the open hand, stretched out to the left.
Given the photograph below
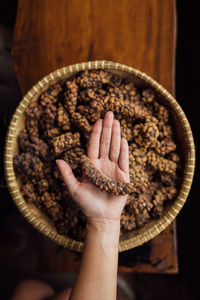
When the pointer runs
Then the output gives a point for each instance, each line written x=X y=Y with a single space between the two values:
x=68 y=176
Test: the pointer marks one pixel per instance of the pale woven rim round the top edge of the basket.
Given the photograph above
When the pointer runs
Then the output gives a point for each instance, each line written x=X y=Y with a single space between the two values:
x=145 y=234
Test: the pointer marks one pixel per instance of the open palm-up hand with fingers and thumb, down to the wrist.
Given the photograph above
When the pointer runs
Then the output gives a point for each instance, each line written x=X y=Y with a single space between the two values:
x=110 y=155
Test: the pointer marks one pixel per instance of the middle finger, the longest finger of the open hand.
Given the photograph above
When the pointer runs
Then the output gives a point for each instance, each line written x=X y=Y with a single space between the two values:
x=106 y=135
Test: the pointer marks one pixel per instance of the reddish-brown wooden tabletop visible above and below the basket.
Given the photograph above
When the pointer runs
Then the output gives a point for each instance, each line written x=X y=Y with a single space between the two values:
x=50 y=34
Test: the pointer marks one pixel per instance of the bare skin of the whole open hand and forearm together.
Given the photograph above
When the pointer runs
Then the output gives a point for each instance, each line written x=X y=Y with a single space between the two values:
x=97 y=275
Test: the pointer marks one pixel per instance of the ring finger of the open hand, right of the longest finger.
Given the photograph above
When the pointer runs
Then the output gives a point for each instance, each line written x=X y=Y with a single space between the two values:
x=115 y=141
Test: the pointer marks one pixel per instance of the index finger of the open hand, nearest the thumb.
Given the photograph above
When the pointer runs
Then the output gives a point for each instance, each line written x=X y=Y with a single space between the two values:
x=94 y=141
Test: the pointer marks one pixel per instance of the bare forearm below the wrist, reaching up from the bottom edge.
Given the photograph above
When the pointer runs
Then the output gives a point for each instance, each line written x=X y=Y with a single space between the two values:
x=97 y=276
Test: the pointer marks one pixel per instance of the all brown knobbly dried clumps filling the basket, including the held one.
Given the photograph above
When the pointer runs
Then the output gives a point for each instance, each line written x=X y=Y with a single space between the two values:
x=59 y=125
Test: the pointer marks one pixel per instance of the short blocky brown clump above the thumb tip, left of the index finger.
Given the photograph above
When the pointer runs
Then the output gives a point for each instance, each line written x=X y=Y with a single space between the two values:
x=65 y=141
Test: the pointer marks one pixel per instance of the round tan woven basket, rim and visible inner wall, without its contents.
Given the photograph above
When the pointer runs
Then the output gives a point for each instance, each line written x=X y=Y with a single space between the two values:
x=137 y=236
